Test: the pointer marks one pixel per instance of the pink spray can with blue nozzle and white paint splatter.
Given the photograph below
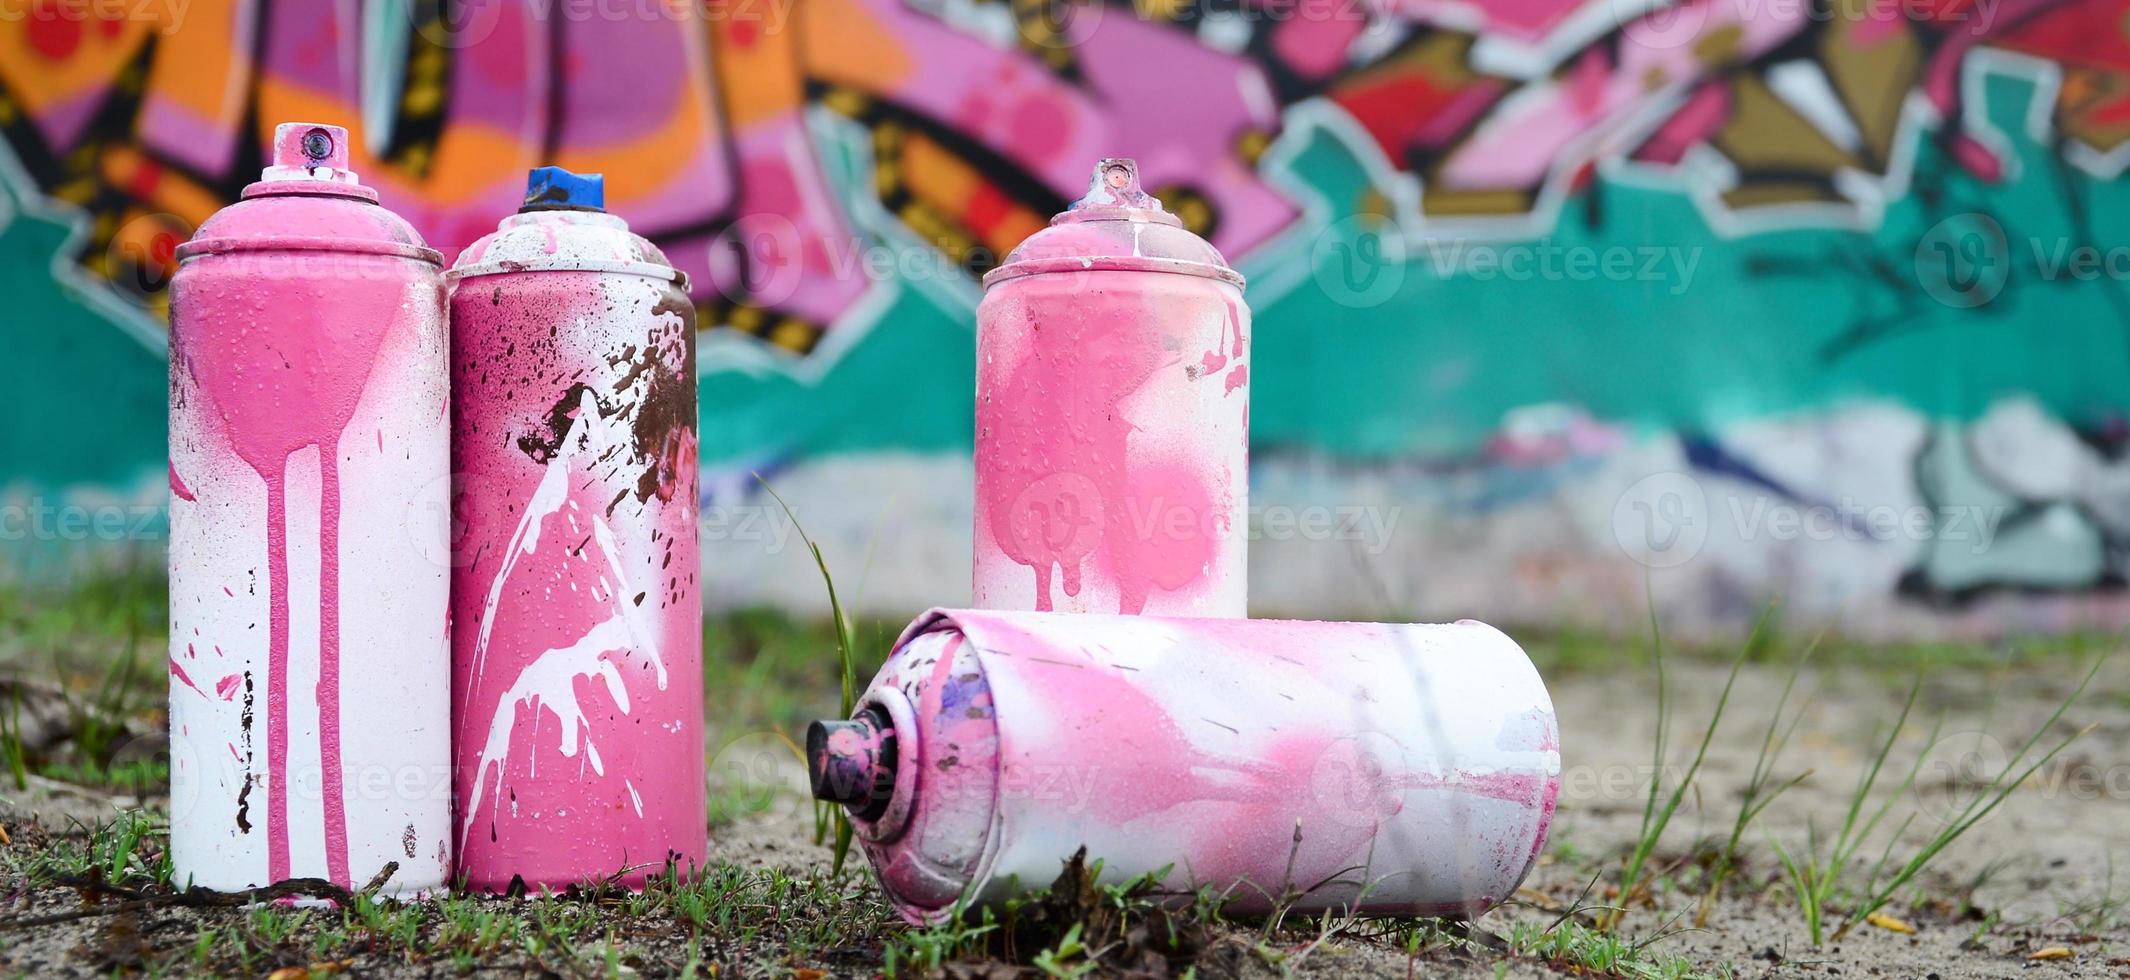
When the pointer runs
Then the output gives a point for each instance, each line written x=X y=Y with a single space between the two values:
x=578 y=627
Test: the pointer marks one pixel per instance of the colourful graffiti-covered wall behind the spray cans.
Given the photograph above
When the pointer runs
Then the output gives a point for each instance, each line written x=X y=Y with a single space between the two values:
x=1556 y=299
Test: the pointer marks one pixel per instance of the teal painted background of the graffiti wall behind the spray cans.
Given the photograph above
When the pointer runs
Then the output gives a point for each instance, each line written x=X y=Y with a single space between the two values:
x=1383 y=338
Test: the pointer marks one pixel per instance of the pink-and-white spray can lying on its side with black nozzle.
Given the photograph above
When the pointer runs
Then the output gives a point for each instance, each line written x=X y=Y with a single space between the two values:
x=1390 y=770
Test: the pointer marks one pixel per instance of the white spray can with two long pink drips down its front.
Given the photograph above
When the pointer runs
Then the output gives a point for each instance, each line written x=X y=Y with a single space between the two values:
x=310 y=668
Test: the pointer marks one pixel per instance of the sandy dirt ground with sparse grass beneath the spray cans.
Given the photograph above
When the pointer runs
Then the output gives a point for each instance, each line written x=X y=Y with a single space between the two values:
x=2029 y=881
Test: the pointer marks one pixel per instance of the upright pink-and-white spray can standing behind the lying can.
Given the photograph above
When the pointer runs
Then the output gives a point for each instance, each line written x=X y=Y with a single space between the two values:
x=1113 y=414
